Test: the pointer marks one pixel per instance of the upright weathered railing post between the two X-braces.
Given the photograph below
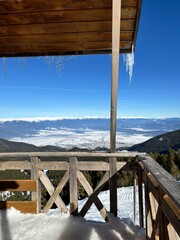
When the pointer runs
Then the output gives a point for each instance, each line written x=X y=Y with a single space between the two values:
x=73 y=186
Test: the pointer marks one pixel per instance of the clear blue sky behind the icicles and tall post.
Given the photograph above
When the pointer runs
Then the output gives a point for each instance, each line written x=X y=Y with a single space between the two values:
x=32 y=88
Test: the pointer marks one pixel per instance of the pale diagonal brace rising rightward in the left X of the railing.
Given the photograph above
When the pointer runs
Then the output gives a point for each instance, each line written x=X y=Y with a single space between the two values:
x=56 y=193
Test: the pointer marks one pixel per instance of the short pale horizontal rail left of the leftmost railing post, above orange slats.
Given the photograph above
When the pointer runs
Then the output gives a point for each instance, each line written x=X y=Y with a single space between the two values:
x=15 y=165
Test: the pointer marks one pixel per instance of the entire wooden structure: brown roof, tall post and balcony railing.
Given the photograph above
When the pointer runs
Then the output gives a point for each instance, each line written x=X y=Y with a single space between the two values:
x=67 y=27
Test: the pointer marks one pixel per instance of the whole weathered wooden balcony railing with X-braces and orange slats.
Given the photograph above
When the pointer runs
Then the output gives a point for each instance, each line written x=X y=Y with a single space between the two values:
x=161 y=214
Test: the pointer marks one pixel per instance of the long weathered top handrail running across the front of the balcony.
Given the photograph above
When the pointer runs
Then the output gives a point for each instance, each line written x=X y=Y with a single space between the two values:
x=69 y=154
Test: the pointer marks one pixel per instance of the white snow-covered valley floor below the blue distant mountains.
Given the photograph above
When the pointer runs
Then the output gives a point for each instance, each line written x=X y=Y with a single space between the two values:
x=86 y=138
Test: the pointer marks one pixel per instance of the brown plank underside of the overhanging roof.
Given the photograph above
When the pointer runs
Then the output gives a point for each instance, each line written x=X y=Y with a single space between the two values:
x=62 y=27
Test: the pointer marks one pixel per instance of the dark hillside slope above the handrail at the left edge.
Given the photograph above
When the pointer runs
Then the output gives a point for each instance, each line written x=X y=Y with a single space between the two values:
x=9 y=146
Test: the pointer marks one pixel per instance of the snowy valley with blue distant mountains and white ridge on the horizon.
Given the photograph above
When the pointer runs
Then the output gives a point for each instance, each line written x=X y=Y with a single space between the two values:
x=84 y=132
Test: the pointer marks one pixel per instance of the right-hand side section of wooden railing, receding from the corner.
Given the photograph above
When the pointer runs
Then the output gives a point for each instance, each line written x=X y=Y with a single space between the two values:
x=162 y=200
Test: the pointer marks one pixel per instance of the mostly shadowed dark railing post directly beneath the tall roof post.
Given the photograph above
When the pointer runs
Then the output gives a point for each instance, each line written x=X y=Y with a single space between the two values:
x=113 y=185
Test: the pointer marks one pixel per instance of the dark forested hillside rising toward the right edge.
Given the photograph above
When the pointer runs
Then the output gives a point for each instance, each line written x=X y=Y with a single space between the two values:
x=160 y=143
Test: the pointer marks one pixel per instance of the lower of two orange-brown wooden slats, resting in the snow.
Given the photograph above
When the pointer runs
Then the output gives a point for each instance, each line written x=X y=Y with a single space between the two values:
x=23 y=206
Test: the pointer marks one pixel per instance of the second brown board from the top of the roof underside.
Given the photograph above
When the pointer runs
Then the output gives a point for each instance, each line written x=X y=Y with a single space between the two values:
x=64 y=16
